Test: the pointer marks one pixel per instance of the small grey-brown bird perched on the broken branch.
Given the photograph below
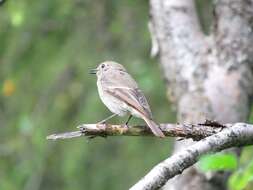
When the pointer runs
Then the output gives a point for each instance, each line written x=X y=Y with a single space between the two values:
x=121 y=94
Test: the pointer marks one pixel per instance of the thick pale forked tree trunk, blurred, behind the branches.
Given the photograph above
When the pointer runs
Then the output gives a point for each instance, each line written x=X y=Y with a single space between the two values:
x=207 y=76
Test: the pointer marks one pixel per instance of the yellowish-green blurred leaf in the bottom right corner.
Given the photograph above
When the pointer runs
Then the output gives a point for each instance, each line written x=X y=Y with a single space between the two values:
x=241 y=178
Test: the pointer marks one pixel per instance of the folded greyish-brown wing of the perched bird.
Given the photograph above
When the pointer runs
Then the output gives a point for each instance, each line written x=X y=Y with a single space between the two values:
x=132 y=97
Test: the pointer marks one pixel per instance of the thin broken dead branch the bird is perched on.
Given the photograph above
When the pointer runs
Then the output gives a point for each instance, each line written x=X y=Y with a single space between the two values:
x=193 y=131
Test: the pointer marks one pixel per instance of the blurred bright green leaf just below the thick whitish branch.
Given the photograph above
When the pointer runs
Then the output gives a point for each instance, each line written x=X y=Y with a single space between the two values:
x=221 y=161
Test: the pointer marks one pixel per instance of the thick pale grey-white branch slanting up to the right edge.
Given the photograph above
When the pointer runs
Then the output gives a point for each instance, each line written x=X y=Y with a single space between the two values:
x=239 y=134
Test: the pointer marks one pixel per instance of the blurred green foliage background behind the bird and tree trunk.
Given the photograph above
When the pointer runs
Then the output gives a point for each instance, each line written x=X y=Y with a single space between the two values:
x=46 y=50
